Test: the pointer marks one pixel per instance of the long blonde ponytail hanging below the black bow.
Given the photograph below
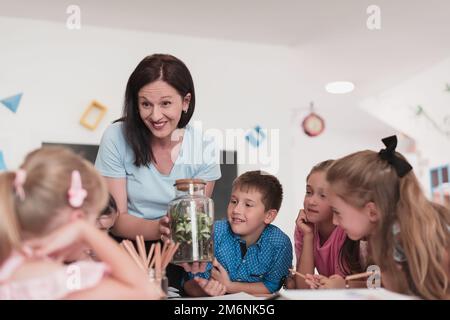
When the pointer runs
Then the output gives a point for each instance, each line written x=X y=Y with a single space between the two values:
x=424 y=239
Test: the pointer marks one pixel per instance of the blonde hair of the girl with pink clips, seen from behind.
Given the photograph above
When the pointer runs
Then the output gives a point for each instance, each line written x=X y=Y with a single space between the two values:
x=35 y=209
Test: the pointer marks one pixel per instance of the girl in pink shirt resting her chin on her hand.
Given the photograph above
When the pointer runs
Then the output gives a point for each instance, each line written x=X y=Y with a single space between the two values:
x=318 y=242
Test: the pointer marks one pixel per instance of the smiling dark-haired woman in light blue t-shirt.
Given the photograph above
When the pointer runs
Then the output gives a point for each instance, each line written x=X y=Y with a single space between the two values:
x=152 y=145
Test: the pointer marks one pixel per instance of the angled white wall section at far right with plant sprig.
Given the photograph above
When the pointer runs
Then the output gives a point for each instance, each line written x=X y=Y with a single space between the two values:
x=396 y=107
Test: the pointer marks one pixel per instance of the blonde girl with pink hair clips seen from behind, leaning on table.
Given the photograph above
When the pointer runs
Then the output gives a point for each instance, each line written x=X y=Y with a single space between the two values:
x=51 y=203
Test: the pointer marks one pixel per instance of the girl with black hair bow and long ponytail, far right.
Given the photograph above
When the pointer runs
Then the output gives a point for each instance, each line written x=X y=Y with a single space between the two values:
x=377 y=195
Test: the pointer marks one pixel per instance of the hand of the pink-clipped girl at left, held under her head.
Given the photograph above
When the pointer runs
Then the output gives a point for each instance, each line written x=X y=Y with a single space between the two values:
x=62 y=242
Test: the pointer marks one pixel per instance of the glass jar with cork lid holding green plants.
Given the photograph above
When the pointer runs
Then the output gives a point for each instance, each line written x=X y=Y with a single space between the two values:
x=191 y=222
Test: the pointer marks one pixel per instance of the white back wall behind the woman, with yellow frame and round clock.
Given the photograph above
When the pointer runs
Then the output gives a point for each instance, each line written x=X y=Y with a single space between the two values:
x=238 y=86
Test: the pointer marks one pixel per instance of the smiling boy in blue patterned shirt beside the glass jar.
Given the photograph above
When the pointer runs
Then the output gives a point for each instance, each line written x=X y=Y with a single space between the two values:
x=252 y=255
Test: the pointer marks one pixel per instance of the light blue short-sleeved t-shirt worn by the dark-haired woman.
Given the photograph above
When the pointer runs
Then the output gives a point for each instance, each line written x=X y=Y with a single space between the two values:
x=149 y=191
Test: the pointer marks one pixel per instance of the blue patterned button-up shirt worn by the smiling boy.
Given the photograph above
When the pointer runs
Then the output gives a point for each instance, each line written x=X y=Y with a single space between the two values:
x=267 y=261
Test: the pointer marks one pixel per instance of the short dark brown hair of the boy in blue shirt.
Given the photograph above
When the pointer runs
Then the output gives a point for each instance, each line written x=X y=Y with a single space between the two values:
x=267 y=184
